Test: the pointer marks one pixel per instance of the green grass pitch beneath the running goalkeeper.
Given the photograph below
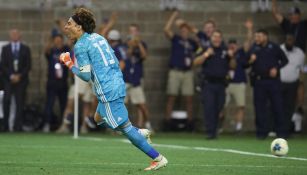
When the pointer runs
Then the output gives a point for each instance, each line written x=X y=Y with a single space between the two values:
x=30 y=154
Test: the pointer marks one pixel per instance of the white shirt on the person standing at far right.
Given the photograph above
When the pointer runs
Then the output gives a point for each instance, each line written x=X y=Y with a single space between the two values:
x=291 y=72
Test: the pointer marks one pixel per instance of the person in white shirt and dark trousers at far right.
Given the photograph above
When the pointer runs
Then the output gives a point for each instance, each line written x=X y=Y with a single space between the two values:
x=290 y=77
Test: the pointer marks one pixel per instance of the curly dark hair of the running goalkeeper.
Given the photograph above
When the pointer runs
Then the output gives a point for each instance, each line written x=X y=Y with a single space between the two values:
x=85 y=18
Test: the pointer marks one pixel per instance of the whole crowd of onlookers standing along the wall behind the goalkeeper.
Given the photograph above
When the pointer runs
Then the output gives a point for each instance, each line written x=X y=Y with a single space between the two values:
x=274 y=71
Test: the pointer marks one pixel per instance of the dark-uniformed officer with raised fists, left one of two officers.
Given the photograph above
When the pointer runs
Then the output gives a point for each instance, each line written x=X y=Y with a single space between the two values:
x=216 y=61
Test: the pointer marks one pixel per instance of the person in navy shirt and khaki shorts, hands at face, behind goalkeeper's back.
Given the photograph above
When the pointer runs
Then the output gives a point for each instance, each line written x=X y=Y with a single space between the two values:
x=133 y=74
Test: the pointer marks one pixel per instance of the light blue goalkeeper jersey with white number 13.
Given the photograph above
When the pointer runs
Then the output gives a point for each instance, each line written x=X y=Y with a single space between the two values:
x=98 y=63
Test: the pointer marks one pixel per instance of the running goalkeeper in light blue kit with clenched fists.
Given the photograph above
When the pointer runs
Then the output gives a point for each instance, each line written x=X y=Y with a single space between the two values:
x=98 y=64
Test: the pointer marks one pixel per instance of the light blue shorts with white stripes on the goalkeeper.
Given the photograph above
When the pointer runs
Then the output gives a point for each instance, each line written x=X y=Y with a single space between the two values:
x=114 y=113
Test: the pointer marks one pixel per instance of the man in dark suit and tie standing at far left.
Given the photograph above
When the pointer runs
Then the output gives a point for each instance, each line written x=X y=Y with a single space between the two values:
x=15 y=66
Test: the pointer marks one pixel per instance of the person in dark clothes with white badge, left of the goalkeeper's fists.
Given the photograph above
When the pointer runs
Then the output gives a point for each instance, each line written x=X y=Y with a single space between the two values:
x=57 y=79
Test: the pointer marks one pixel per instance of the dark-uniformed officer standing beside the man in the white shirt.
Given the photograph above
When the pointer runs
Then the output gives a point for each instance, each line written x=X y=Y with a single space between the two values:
x=266 y=59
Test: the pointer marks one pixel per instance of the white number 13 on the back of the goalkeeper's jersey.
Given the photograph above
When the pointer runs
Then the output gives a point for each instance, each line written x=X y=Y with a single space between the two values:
x=105 y=52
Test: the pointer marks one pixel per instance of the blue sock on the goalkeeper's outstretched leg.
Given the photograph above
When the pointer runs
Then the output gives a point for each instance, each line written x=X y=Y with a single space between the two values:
x=139 y=141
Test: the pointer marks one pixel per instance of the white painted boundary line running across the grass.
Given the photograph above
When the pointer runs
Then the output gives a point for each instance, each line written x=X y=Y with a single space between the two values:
x=207 y=149
